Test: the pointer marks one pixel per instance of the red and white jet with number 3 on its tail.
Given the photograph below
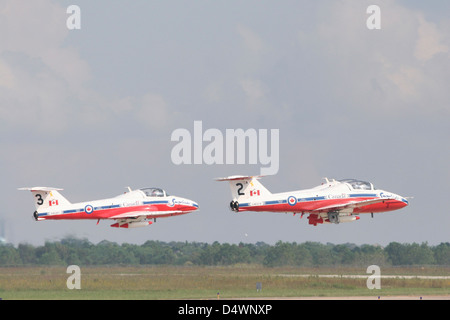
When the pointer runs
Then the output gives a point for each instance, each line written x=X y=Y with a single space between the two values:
x=130 y=210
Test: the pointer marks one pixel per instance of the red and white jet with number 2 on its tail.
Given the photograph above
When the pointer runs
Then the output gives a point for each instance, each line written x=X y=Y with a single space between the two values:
x=331 y=202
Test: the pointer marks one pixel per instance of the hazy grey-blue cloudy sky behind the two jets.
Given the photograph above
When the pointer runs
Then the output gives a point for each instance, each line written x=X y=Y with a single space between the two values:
x=92 y=110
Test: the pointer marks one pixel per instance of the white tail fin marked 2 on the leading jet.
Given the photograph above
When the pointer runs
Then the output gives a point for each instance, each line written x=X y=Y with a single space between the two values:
x=245 y=187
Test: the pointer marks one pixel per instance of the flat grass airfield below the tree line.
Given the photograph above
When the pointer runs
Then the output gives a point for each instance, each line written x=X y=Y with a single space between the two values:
x=169 y=282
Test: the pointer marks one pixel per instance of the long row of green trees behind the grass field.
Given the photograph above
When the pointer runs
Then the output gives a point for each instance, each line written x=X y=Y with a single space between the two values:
x=71 y=250
